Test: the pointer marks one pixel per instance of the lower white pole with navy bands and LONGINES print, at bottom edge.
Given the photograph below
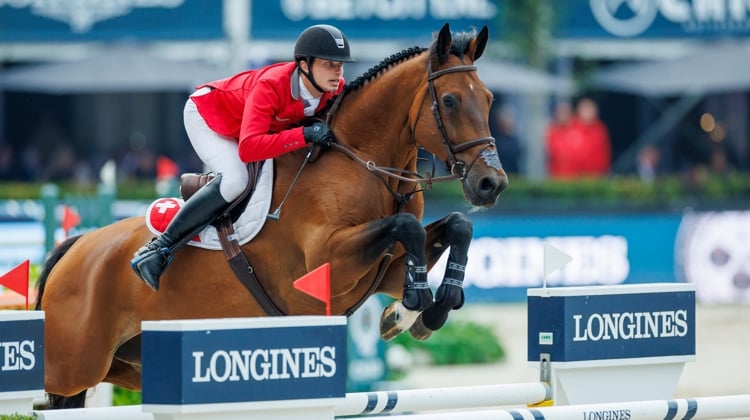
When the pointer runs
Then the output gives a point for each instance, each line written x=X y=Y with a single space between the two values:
x=705 y=408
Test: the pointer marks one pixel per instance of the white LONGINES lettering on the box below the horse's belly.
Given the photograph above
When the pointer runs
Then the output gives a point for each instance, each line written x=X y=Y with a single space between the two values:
x=264 y=364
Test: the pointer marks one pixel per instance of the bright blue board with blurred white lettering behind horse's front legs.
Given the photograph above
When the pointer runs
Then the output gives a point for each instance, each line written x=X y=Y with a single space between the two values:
x=506 y=256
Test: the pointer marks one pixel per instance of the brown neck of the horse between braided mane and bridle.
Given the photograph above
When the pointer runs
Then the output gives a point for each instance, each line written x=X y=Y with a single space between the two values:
x=376 y=120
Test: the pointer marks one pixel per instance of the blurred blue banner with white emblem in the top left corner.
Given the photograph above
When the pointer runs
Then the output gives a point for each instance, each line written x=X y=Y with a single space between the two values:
x=88 y=20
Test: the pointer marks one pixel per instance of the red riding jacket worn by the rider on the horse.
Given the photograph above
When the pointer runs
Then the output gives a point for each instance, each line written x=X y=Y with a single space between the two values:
x=261 y=108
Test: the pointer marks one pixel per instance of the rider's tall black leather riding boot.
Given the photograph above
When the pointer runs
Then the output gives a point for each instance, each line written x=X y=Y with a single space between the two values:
x=197 y=212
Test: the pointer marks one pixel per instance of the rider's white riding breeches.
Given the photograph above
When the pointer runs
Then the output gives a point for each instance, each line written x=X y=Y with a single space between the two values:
x=219 y=153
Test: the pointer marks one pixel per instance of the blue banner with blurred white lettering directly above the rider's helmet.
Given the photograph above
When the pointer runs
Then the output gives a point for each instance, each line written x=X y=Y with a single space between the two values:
x=367 y=19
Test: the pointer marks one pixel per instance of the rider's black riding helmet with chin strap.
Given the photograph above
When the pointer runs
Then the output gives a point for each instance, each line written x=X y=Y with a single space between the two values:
x=321 y=41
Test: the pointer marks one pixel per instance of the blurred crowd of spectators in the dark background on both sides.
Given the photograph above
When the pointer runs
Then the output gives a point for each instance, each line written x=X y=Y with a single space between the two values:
x=577 y=144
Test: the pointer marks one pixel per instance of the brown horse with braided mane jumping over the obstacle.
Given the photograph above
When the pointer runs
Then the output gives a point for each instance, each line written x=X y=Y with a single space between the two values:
x=358 y=207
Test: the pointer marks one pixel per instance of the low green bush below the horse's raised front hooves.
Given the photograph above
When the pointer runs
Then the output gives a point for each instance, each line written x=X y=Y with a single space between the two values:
x=457 y=342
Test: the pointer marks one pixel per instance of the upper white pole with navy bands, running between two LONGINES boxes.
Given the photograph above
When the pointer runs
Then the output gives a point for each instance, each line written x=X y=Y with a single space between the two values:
x=364 y=403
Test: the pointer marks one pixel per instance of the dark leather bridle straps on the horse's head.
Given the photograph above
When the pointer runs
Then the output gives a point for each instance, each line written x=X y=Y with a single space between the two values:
x=456 y=167
